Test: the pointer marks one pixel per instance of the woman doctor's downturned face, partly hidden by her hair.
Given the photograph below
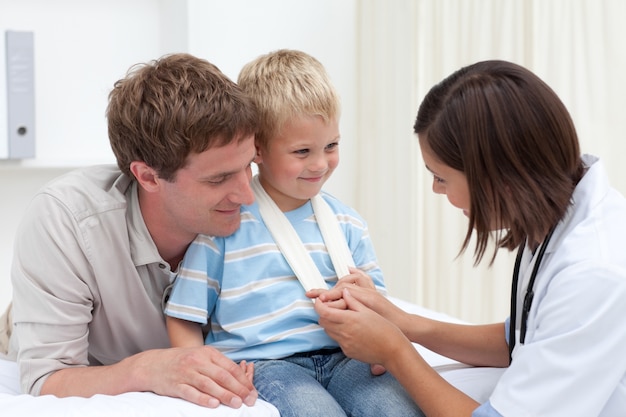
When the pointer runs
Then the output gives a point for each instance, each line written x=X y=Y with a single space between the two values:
x=447 y=180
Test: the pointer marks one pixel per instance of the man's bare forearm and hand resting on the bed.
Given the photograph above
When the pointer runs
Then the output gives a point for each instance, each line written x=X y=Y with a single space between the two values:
x=202 y=375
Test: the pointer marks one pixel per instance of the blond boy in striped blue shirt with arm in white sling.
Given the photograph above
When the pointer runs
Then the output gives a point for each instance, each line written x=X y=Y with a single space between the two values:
x=246 y=283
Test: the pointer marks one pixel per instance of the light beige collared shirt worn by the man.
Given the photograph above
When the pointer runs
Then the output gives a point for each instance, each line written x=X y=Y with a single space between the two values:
x=87 y=278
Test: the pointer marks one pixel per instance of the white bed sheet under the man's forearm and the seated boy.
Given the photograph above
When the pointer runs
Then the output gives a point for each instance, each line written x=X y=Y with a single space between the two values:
x=476 y=382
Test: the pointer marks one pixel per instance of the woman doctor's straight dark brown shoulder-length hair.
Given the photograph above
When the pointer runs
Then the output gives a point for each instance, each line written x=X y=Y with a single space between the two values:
x=514 y=140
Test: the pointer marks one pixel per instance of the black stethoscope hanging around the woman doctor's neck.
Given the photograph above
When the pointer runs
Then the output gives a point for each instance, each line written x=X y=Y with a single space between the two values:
x=528 y=298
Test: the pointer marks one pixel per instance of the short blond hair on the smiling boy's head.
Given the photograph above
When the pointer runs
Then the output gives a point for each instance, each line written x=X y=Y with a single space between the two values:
x=286 y=84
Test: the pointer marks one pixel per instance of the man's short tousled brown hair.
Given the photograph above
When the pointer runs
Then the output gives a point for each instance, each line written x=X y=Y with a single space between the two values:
x=169 y=108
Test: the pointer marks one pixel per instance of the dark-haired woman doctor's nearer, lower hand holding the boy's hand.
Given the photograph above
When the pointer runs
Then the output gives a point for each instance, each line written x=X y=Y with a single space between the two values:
x=362 y=333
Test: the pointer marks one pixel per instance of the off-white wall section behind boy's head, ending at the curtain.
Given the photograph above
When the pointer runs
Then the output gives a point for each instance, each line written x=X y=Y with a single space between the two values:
x=231 y=33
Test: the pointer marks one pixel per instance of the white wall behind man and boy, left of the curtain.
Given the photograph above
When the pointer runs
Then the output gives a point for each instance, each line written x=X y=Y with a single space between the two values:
x=83 y=47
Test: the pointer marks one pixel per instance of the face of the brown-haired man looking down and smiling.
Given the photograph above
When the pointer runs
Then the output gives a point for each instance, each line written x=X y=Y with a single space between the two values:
x=207 y=193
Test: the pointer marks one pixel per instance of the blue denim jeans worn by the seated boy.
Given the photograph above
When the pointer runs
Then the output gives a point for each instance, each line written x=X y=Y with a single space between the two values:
x=328 y=384
